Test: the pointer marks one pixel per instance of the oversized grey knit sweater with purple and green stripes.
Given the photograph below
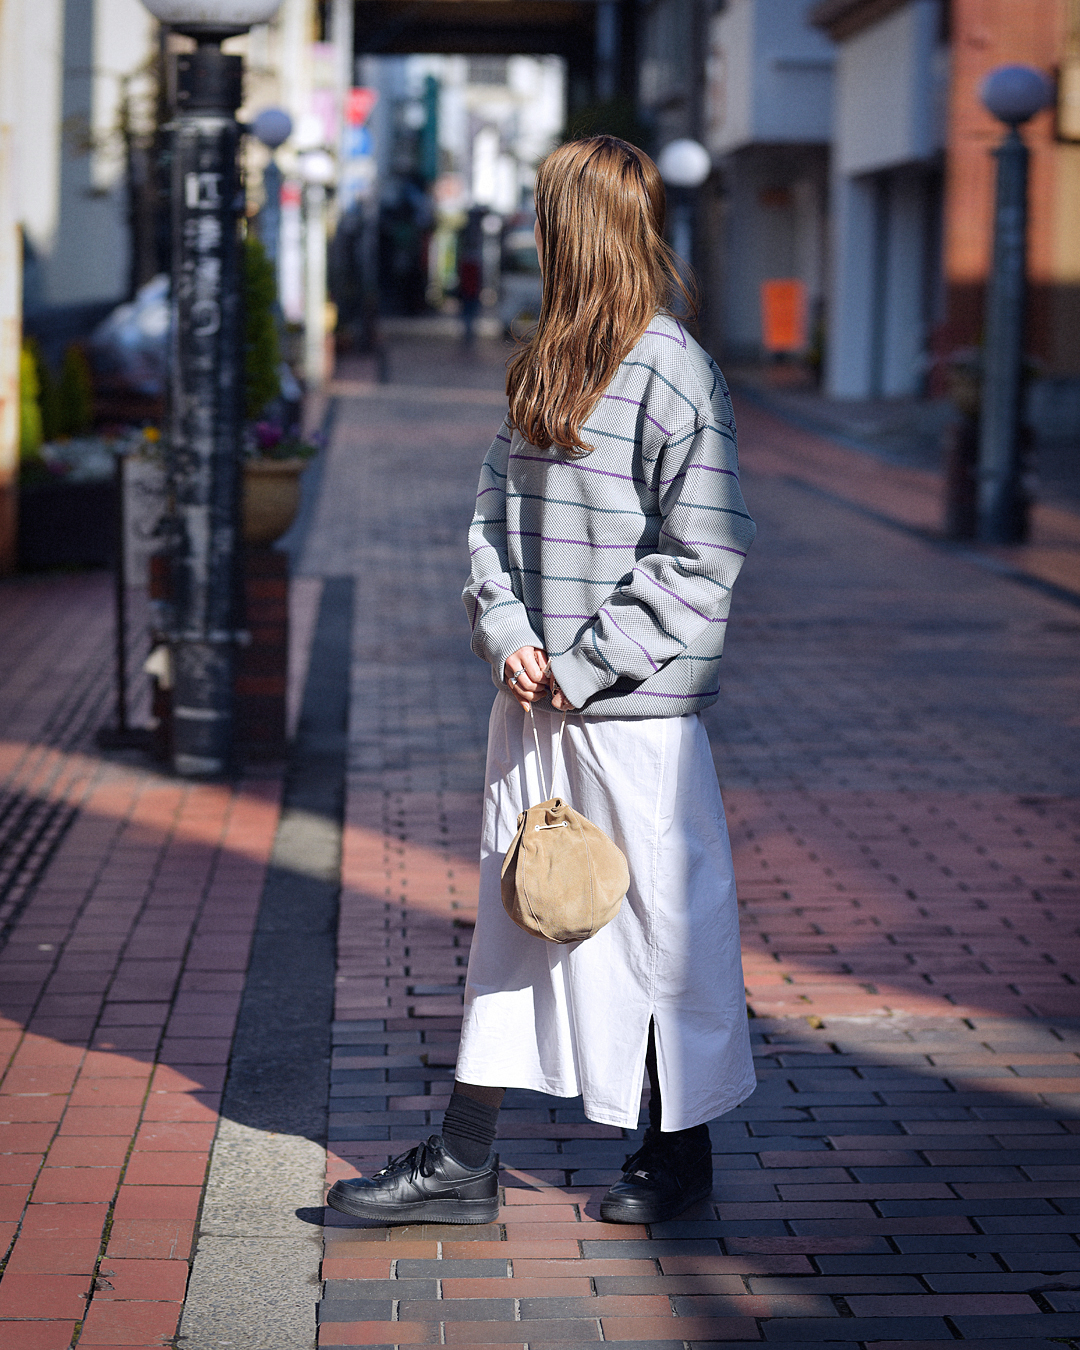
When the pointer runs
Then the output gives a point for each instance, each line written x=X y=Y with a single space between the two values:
x=620 y=564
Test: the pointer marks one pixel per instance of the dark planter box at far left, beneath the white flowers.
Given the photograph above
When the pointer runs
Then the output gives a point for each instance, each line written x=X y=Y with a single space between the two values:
x=65 y=526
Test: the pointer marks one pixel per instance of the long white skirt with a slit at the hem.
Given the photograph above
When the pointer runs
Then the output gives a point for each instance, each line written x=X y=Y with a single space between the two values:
x=574 y=1020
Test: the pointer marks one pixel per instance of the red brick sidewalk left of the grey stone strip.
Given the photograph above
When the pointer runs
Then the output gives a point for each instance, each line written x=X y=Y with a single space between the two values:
x=122 y=978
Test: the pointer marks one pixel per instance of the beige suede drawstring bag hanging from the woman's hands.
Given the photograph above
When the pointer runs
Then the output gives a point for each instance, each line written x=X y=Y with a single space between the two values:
x=562 y=878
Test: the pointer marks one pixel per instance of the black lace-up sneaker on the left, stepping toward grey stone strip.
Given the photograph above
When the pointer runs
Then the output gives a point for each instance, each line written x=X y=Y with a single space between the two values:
x=427 y=1185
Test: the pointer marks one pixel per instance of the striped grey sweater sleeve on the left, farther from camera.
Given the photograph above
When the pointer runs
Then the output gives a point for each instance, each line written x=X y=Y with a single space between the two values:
x=499 y=618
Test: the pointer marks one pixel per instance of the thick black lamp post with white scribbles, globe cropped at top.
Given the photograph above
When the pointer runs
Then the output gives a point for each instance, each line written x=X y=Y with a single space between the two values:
x=206 y=379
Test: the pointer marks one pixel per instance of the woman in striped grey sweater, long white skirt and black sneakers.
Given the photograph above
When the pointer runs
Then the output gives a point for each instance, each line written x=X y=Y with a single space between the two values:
x=608 y=534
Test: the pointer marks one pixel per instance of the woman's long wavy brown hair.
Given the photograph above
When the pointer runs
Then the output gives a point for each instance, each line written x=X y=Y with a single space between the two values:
x=608 y=271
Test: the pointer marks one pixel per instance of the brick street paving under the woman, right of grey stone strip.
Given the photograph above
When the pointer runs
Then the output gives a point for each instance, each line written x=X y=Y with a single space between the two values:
x=897 y=743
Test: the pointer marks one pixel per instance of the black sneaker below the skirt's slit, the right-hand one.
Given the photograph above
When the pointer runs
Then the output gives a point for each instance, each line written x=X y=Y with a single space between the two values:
x=661 y=1181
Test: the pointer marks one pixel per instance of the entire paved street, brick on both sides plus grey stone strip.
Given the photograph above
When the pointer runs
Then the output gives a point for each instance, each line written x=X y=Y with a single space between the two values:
x=898 y=746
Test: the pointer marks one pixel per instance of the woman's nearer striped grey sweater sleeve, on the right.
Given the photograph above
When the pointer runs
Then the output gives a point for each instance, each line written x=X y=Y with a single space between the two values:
x=682 y=589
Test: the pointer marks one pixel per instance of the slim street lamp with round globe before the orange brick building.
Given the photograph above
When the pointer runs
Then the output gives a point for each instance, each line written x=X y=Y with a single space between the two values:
x=1013 y=95
